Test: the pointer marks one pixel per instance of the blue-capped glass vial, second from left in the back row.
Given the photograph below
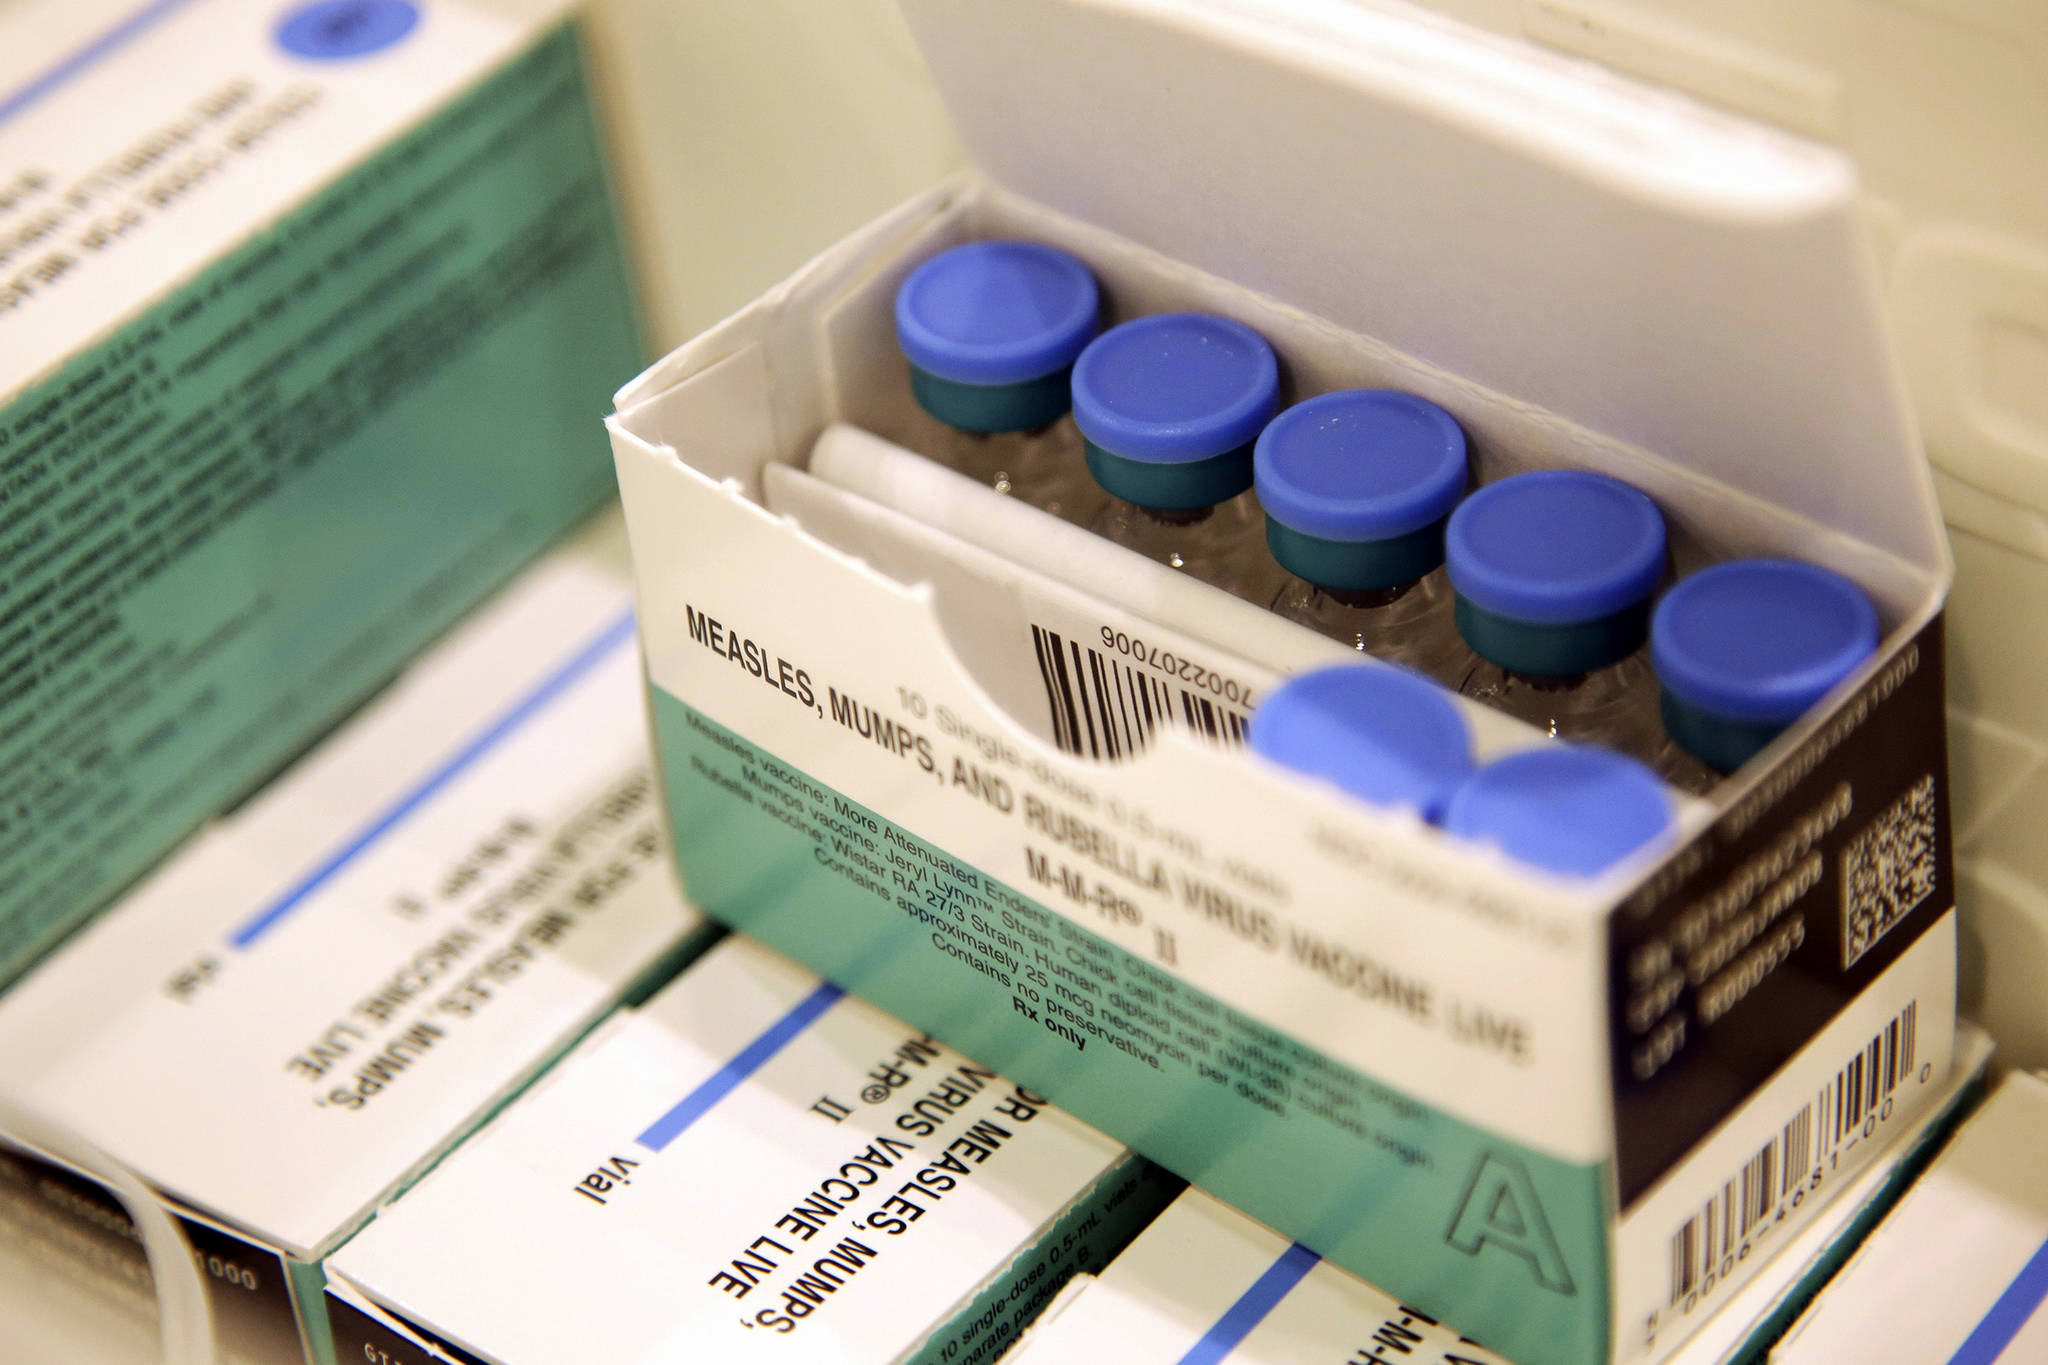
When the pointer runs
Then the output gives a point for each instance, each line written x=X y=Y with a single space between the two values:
x=1168 y=410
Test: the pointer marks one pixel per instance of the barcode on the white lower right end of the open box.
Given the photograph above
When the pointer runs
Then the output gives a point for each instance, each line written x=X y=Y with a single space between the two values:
x=1715 y=1239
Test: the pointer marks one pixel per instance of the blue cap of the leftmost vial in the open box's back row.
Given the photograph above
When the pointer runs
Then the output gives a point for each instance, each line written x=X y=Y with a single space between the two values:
x=996 y=312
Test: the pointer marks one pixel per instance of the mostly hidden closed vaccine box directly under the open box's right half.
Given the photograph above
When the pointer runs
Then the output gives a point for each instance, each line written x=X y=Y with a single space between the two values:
x=1207 y=1284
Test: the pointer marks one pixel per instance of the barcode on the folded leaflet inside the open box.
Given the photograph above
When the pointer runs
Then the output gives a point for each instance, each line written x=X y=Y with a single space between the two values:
x=1105 y=709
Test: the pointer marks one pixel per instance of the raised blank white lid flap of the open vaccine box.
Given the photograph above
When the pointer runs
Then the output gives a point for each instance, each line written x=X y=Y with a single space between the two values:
x=1631 y=261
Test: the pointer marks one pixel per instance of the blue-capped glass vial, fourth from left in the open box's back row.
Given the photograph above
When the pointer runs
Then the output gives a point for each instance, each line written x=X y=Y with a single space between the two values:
x=1553 y=576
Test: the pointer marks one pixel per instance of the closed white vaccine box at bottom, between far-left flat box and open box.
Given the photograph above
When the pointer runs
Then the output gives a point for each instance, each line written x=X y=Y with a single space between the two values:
x=755 y=1168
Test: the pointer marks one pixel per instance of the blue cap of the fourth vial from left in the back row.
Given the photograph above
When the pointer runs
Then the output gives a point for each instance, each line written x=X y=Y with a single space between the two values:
x=1555 y=547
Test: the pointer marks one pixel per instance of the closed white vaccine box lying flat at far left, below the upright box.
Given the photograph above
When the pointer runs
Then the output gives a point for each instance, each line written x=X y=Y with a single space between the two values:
x=314 y=1000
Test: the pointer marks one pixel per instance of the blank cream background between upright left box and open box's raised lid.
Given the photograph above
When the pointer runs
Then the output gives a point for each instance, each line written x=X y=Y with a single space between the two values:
x=753 y=136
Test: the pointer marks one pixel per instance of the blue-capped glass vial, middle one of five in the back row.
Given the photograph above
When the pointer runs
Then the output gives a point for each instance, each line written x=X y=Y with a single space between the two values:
x=1357 y=488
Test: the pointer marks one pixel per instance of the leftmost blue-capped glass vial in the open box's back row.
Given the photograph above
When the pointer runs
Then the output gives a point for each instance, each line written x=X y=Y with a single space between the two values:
x=992 y=333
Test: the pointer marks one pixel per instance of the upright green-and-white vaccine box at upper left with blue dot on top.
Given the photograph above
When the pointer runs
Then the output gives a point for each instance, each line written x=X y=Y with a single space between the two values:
x=304 y=316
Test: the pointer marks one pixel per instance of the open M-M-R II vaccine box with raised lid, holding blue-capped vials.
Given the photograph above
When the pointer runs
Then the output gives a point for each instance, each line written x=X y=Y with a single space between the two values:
x=1521 y=1104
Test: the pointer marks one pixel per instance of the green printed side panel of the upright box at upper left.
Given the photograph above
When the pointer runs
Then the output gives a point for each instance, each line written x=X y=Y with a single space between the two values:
x=234 y=519
